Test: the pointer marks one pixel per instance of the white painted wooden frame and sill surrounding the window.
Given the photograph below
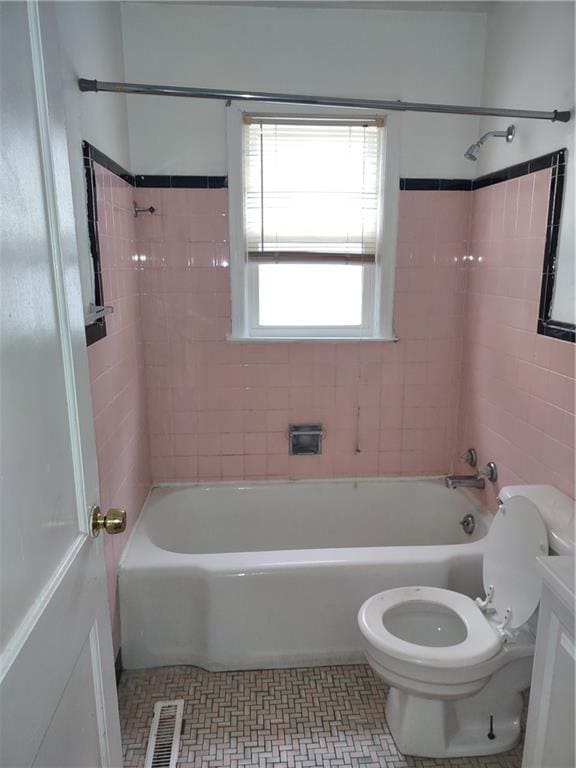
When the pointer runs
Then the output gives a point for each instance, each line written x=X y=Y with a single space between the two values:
x=378 y=294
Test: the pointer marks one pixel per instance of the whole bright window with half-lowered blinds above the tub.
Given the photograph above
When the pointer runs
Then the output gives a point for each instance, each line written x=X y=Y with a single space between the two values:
x=307 y=223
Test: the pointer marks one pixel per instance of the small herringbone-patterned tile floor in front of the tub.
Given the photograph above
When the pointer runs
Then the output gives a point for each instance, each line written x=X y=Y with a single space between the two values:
x=292 y=718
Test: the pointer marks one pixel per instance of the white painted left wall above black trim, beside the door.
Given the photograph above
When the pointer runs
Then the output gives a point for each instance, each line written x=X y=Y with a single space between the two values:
x=90 y=44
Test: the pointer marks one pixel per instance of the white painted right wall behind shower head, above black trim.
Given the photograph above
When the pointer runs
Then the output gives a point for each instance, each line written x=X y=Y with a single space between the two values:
x=530 y=64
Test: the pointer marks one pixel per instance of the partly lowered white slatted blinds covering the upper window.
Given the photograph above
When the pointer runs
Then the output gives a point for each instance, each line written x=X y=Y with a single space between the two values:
x=311 y=189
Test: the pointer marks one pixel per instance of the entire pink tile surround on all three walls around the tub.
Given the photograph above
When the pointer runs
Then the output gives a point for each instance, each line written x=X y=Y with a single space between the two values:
x=173 y=400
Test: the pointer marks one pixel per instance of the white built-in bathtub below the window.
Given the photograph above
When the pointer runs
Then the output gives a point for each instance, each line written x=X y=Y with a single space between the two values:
x=255 y=575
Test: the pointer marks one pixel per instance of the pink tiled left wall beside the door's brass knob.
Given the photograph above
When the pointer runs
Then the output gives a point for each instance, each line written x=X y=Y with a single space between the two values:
x=117 y=374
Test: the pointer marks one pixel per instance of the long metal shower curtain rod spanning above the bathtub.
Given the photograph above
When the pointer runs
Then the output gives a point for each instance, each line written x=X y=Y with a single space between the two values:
x=562 y=116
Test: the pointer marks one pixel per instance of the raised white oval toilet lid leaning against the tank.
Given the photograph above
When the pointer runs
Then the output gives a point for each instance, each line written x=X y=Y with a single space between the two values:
x=515 y=539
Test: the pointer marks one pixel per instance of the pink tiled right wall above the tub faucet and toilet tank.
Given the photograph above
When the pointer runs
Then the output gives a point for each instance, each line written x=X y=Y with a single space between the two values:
x=517 y=402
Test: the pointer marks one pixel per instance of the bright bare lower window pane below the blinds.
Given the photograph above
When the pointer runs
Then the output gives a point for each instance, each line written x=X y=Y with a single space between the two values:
x=310 y=294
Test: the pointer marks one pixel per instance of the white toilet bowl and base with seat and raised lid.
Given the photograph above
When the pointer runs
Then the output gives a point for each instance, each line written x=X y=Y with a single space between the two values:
x=456 y=667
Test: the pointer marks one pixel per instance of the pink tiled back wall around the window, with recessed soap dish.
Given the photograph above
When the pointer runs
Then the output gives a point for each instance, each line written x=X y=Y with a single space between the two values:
x=220 y=410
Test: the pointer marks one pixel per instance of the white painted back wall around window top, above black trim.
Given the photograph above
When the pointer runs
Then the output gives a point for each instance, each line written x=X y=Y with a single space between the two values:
x=419 y=56
